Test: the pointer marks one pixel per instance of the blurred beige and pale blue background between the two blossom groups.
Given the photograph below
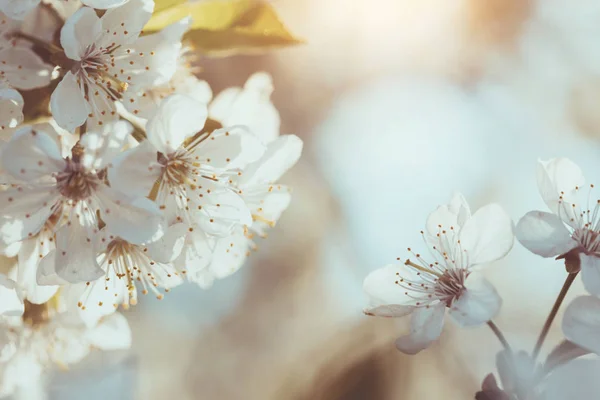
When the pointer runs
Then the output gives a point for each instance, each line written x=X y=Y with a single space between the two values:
x=399 y=103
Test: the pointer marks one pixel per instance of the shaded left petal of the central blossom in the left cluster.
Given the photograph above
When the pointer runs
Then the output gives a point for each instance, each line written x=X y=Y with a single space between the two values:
x=135 y=171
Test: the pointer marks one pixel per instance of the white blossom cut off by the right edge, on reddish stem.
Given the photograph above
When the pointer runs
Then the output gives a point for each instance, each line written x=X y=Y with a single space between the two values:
x=572 y=229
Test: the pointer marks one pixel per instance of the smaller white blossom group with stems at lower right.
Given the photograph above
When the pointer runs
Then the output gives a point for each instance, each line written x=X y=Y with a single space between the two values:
x=446 y=279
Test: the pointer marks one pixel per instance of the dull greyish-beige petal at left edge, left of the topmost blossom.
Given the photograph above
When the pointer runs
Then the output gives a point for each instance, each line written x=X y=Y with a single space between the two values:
x=23 y=68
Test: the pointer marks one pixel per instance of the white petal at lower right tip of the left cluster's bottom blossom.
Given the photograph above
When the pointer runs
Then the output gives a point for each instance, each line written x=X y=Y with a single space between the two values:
x=113 y=333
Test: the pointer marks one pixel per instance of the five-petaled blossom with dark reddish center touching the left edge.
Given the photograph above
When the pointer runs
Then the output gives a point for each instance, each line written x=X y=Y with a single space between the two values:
x=67 y=195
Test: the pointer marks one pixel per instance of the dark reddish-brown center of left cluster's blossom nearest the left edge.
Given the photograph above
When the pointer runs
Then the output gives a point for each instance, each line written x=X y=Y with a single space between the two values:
x=75 y=182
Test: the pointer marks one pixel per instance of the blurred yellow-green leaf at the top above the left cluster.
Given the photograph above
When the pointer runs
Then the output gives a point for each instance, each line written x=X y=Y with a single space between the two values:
x=225 y=27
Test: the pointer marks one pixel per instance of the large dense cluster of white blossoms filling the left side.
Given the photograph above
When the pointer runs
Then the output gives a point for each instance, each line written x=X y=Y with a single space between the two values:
x=134 y=179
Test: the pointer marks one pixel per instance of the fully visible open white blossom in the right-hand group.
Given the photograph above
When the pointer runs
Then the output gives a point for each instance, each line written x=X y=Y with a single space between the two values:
x=446 y=280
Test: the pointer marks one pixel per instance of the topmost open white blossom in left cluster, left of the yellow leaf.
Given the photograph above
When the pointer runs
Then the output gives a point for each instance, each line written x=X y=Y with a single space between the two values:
x=105 y=60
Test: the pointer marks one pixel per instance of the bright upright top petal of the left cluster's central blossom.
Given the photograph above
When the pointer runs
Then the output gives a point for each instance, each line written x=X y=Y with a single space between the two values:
x=177 y=118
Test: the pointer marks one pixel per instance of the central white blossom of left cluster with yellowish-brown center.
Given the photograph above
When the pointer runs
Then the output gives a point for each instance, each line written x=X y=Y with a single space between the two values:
x=194 y=171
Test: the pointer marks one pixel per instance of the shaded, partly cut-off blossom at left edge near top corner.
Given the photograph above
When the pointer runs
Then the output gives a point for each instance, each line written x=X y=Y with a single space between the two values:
x=19 y=65
